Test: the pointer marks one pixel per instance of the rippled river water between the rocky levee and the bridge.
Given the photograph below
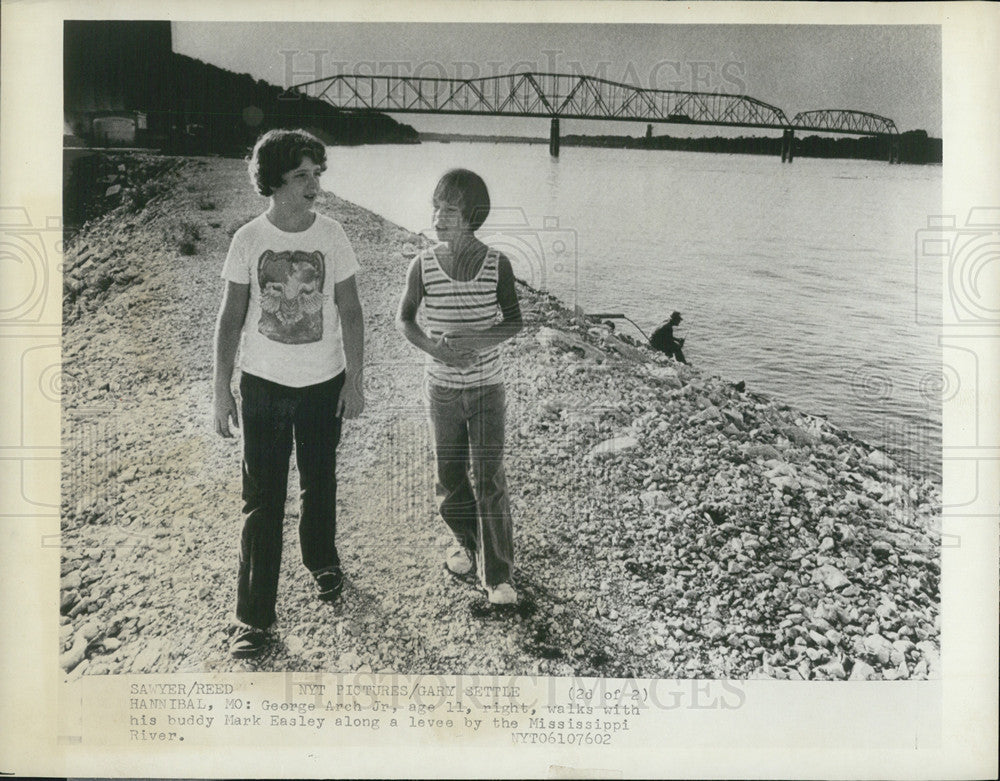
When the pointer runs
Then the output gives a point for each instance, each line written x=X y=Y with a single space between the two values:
x=798 y=279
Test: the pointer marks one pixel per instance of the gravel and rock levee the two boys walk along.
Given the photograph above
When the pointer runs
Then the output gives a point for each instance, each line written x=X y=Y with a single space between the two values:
x=667 y=524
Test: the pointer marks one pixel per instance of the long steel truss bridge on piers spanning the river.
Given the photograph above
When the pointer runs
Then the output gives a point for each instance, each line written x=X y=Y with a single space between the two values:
x=563 y=96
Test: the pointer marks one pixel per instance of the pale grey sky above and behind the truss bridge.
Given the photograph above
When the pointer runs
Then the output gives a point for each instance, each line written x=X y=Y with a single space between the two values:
x=894 y=71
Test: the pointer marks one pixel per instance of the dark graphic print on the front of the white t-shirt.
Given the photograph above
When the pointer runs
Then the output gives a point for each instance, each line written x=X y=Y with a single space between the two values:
x=291 y=296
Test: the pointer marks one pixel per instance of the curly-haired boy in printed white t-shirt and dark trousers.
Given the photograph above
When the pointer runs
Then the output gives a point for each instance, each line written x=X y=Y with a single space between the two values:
x=291 y=305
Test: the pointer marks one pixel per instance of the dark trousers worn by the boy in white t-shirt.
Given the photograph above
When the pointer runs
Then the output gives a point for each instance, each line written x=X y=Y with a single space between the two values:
x=274 y=417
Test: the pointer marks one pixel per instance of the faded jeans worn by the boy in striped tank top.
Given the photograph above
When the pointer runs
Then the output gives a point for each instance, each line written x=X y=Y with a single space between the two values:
x=468 y=429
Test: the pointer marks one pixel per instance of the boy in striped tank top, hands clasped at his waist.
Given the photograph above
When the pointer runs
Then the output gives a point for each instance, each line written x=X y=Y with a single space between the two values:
x=470 y=307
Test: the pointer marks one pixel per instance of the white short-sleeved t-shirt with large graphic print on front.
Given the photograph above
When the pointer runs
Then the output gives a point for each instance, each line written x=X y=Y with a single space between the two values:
x=291 y=334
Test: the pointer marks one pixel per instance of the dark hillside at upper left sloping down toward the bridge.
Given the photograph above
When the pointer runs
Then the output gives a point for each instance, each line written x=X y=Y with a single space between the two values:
x=125 y=86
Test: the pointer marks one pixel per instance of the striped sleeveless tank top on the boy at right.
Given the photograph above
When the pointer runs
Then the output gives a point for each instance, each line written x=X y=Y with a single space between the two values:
x=451 y=306
